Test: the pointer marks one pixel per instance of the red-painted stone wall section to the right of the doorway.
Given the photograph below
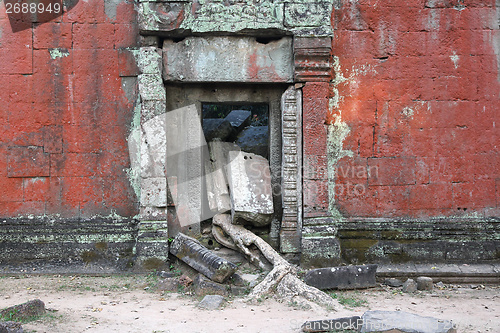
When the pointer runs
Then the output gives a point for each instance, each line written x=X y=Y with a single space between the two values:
x=419 y=89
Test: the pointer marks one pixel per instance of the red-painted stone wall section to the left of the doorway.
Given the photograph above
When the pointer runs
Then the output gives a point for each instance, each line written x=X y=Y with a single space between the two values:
x=64 y=119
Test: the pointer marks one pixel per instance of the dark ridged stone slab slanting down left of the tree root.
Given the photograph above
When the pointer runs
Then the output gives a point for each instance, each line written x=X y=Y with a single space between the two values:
x=200 y=258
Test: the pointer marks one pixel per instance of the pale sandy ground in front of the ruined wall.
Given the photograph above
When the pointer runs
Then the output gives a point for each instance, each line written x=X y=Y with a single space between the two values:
x=130 y=304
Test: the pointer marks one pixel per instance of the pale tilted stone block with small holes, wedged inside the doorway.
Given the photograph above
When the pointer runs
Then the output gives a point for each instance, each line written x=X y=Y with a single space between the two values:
x=249 y=180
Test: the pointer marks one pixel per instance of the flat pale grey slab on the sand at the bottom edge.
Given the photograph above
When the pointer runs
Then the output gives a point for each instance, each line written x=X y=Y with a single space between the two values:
x=403 y=322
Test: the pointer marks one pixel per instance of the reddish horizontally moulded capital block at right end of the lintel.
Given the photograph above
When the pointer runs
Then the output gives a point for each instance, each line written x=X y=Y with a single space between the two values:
x=312 y=59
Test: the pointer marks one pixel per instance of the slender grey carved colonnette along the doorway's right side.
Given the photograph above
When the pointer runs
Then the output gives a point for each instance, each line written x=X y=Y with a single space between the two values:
x=291 y=226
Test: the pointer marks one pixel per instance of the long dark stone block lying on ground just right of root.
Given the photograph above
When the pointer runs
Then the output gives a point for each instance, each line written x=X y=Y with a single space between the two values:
x=344 y=277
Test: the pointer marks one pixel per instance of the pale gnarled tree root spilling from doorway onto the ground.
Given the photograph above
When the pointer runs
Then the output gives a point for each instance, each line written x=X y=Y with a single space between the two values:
x=282 y=279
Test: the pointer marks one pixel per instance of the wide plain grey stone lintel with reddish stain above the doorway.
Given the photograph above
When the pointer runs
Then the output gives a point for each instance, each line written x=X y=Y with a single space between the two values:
x=227 y=59
